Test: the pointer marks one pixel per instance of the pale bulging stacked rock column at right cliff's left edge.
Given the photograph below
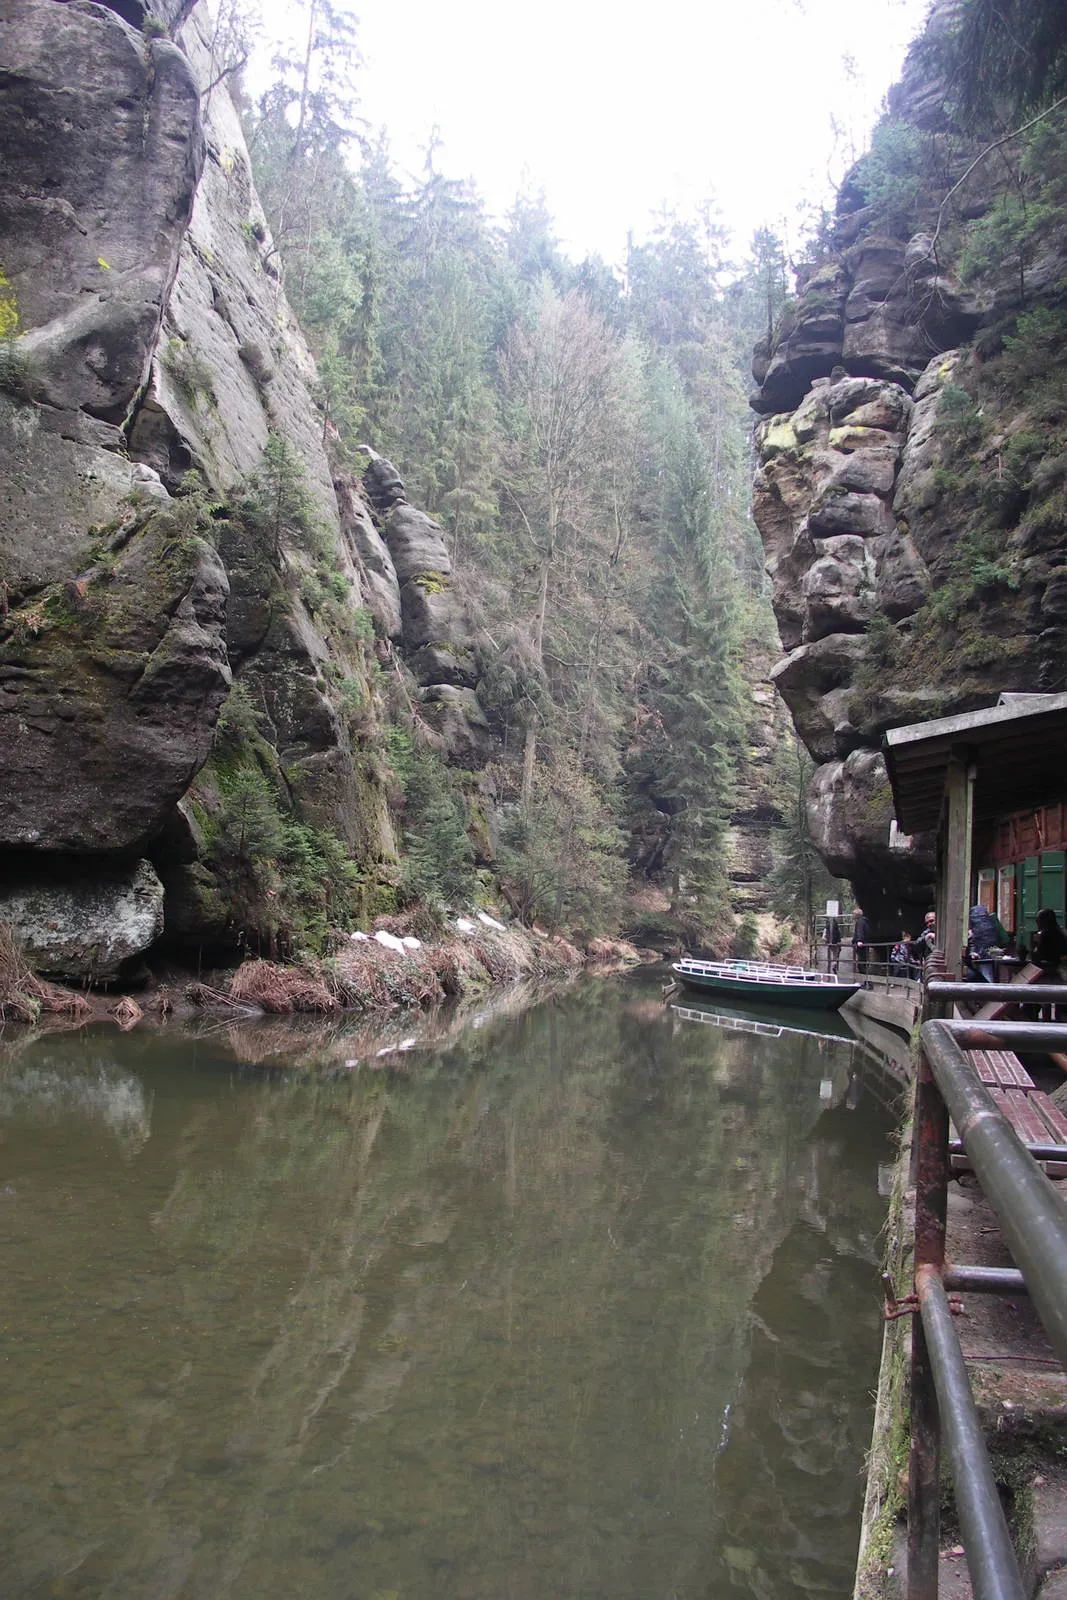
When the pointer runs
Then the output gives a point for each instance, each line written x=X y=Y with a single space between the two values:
x=841 y=556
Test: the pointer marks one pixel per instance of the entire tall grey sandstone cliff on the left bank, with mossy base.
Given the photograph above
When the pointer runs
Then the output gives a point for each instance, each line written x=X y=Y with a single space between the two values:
x=170 y=526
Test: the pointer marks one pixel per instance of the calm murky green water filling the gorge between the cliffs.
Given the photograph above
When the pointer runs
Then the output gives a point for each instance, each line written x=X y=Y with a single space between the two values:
x=572 y=1303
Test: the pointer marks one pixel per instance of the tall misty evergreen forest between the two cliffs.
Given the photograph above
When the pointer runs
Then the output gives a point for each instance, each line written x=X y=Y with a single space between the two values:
x=583 y=438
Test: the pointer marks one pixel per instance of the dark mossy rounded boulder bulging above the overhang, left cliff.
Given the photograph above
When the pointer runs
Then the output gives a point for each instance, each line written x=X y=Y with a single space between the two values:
x=110 y=690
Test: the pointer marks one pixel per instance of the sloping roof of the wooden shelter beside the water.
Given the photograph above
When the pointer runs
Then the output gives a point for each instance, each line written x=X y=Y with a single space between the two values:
x=1020 y=748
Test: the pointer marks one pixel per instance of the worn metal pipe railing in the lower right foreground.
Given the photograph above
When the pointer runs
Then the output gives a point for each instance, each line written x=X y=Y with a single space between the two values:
x=1036 y=1228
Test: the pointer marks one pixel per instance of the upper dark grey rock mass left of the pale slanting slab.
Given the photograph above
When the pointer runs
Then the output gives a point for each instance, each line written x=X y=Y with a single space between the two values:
x=102 y=148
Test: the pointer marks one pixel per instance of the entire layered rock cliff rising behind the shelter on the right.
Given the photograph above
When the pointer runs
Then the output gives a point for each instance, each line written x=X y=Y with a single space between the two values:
x=909 y=577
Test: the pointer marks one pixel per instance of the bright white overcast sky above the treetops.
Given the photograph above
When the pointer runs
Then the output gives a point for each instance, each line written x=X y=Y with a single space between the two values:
x=617 y=110
